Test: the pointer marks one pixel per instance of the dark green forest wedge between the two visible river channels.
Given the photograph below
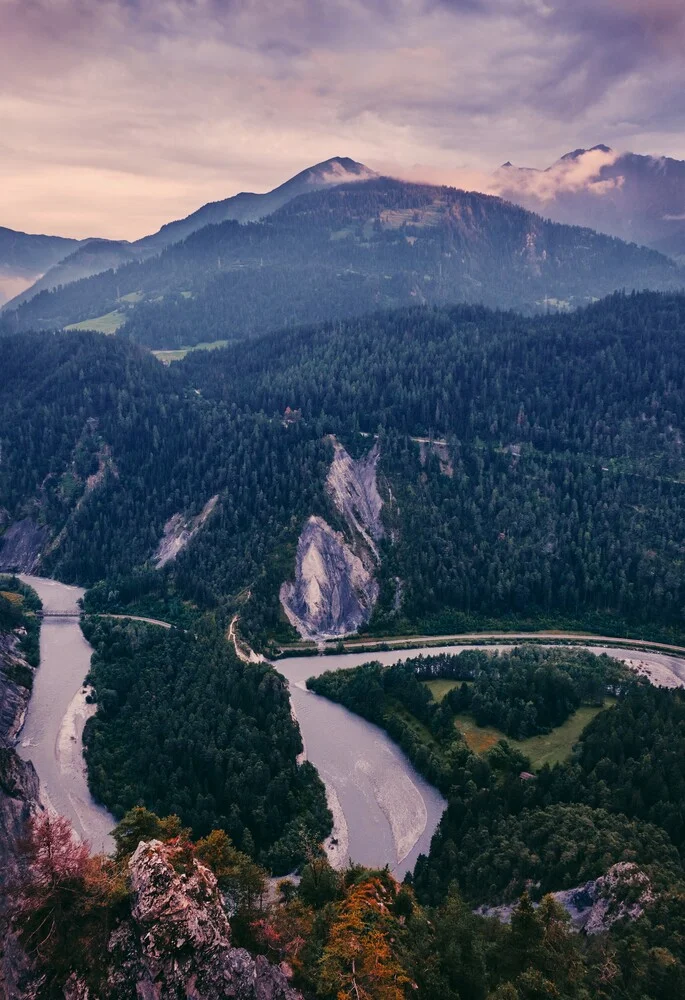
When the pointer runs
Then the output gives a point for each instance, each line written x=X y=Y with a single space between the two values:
x=186 y=728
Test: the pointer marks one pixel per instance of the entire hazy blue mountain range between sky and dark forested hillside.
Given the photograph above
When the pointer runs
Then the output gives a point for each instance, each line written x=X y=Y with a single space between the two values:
x=338 y=240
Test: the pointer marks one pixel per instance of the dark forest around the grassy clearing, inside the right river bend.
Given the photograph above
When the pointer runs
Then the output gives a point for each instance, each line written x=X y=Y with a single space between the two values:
x=617 y=796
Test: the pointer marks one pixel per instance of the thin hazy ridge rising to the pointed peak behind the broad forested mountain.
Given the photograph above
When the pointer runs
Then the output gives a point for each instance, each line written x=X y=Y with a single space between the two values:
x=95 y=256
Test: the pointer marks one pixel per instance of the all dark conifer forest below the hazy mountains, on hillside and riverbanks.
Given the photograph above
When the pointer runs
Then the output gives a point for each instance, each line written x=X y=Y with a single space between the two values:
x=532 y=475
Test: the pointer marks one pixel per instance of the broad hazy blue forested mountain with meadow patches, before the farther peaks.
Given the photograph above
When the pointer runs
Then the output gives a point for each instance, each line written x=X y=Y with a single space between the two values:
x=351 y=249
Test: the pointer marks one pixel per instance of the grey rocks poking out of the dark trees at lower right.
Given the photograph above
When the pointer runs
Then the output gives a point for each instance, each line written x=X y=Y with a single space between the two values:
x=623 y=892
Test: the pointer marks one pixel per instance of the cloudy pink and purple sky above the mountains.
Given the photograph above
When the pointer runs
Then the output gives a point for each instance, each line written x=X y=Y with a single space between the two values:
x=119 y=115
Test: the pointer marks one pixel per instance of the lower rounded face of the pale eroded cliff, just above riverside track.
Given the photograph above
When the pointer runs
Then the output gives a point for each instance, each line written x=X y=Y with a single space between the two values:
x=333 y=593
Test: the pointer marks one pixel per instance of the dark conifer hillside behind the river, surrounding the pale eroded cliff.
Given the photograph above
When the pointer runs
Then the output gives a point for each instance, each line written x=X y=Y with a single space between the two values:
x=551 y=489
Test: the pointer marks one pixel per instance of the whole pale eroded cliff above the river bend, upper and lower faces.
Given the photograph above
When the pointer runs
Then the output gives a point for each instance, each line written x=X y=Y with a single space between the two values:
x=335 y=590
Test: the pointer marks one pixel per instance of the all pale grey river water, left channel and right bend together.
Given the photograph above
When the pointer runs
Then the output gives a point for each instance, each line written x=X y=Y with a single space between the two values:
x=385 y=812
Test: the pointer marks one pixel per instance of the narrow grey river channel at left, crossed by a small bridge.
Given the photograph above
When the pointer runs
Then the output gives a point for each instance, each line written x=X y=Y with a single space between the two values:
x=57 y=713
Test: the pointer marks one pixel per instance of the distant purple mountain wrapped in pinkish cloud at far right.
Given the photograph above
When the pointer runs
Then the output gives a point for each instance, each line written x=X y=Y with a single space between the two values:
x=637 y=198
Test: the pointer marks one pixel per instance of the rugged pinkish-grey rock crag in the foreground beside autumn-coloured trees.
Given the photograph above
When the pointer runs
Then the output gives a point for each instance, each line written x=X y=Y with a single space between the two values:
x=177 y=942
